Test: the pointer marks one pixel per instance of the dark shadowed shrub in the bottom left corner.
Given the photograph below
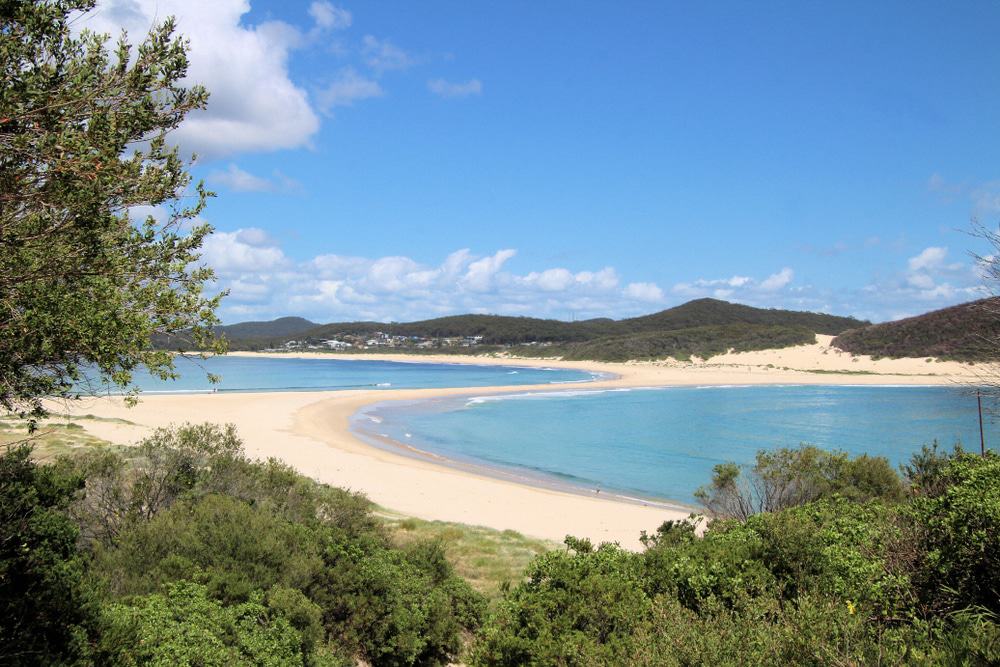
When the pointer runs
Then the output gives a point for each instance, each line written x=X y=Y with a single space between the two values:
x=44 y=608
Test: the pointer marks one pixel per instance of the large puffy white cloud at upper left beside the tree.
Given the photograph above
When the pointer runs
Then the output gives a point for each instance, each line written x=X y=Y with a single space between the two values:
x=254 y=104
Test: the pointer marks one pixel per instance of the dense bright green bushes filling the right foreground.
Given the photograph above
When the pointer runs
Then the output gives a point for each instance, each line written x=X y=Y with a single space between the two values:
x=853 y=572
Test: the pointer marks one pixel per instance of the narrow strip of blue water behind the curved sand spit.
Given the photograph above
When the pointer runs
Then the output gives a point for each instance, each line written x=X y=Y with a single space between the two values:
x=289 y=374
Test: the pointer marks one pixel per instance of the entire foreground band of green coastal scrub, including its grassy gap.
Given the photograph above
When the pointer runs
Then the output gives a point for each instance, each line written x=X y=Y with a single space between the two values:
x=181 y=550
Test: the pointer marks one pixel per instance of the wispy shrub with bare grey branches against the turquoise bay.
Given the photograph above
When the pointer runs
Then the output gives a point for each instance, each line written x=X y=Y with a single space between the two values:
x=784 y=478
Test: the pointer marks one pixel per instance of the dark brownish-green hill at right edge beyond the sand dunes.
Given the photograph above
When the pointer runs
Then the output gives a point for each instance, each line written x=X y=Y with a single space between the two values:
x=967 y=332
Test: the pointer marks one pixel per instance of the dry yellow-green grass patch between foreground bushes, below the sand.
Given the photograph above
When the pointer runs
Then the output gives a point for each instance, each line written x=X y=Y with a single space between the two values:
x=488 y=559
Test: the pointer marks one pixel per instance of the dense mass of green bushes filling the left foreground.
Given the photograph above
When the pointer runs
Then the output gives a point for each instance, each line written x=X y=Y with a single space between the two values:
x=193 y=554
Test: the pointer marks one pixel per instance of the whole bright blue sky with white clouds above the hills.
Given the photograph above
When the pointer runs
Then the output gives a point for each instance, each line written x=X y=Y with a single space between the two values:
x=399 y=160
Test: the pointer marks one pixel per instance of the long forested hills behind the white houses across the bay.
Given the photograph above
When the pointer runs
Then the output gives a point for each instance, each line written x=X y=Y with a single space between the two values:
x=702 y=327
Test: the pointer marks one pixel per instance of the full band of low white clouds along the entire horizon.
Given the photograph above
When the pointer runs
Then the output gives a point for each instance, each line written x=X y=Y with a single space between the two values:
x=266 y=283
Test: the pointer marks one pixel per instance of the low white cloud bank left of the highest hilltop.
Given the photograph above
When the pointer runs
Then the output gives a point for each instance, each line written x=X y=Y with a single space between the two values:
x=266 y=283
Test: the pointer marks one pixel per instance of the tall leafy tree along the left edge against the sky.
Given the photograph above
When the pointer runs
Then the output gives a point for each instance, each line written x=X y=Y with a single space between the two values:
x=84 y=285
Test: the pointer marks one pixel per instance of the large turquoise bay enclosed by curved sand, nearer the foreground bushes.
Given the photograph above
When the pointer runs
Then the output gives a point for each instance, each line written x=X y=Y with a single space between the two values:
x=663 y=443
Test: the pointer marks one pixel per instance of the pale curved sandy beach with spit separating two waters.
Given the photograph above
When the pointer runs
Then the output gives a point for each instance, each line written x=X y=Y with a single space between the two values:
x=311 y=431
